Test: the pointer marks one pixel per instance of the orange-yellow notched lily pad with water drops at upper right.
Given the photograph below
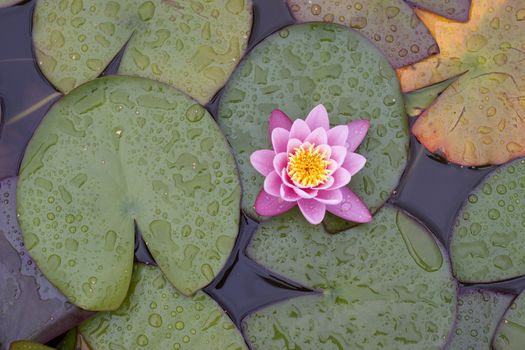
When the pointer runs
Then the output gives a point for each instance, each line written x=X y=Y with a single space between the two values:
x=478 y=120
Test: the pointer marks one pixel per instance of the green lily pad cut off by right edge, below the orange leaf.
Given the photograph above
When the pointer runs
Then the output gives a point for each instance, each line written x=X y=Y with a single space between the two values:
x=488 y=242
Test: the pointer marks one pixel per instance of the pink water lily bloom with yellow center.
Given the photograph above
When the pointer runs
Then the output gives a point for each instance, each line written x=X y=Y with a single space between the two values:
x=311 y=165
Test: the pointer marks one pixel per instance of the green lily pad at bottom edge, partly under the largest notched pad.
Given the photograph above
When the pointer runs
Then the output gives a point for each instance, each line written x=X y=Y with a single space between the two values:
x=155 y=316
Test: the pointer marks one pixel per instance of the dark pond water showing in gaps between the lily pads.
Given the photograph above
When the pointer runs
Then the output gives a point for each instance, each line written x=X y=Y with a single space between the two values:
x=430 y=190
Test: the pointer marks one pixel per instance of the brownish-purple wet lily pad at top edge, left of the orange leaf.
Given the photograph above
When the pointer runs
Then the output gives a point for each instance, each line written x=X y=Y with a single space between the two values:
x=391 y=25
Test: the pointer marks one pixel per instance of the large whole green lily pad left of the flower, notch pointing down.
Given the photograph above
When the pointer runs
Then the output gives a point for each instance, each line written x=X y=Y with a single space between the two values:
x=119 y=150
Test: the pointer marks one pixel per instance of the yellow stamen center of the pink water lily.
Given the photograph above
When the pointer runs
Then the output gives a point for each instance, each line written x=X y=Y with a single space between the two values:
x=308 y=166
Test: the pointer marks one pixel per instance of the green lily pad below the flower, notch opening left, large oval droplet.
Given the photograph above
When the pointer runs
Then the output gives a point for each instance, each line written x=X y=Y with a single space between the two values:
x=383 y=285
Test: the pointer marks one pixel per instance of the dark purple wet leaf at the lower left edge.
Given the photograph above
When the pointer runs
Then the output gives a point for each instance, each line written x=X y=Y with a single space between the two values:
x=23 y=289
